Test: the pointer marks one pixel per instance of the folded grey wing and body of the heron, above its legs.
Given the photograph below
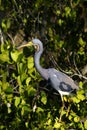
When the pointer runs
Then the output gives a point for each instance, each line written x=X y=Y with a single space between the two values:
x=62 y=82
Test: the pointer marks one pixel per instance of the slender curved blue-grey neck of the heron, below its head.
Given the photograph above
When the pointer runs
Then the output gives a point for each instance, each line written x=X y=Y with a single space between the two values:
x=43 y=72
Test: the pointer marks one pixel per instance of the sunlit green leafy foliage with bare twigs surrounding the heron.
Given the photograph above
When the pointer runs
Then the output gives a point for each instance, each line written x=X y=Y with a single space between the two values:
x=26 y=102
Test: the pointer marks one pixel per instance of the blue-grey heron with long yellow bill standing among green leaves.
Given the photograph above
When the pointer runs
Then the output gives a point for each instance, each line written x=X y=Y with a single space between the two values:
x=59 y=81
